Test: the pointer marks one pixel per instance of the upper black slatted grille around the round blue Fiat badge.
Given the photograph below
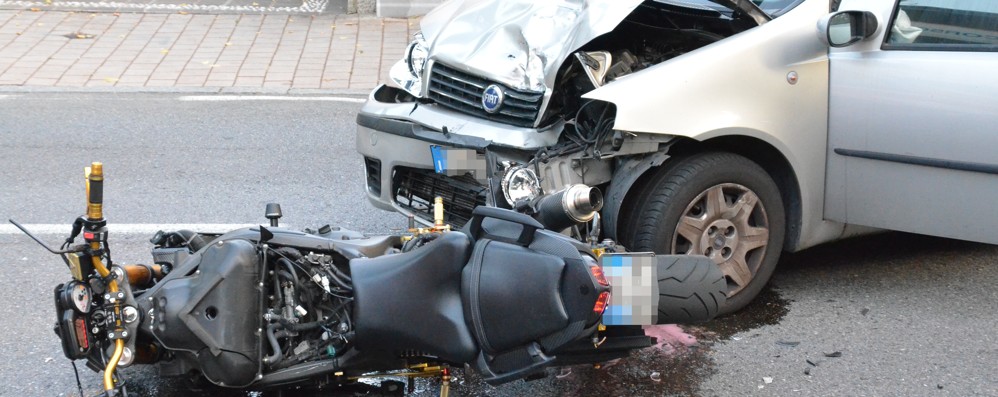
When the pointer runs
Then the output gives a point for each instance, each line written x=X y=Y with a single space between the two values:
x=463 y=92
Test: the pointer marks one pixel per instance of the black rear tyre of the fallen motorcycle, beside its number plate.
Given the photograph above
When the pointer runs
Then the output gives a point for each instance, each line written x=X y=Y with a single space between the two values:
x=690 y=289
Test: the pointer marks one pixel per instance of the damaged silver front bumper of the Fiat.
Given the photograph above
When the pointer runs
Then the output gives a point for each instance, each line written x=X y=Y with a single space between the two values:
x=396 y=138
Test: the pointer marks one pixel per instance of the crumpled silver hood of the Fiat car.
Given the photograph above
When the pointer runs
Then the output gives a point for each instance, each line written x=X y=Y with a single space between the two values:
x=519 y=43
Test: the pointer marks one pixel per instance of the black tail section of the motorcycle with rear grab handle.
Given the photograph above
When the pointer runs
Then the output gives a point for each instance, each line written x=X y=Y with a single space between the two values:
x=523 y=303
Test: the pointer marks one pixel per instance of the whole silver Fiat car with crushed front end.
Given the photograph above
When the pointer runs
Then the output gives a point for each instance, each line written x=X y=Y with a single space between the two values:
x=734 y=129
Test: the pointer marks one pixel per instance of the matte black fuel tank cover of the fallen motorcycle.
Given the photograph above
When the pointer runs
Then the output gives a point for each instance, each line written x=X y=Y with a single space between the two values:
x=211 y=311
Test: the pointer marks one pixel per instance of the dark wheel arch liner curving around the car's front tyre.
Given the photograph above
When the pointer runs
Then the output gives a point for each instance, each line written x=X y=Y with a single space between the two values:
x=758 y=151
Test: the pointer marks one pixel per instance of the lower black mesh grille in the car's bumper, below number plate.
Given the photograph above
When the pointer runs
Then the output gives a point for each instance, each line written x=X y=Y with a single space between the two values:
x=415 y=190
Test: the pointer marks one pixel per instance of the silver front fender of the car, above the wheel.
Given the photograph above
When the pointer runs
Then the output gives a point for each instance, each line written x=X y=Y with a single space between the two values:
x=738 y=86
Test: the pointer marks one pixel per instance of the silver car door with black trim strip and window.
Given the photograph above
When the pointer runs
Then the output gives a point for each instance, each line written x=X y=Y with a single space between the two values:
x=913 y=120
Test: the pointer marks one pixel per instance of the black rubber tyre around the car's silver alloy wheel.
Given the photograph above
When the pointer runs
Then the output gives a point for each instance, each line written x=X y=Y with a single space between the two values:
x=658 y=204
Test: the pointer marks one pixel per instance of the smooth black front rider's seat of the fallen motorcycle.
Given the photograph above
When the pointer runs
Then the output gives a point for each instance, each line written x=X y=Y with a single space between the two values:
x=412 y=301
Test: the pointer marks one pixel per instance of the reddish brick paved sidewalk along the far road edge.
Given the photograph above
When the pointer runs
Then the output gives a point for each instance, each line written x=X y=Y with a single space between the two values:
x=163 y=51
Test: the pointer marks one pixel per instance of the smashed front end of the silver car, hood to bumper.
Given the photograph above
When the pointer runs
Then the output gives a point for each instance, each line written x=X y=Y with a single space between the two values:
x=487 y=107
